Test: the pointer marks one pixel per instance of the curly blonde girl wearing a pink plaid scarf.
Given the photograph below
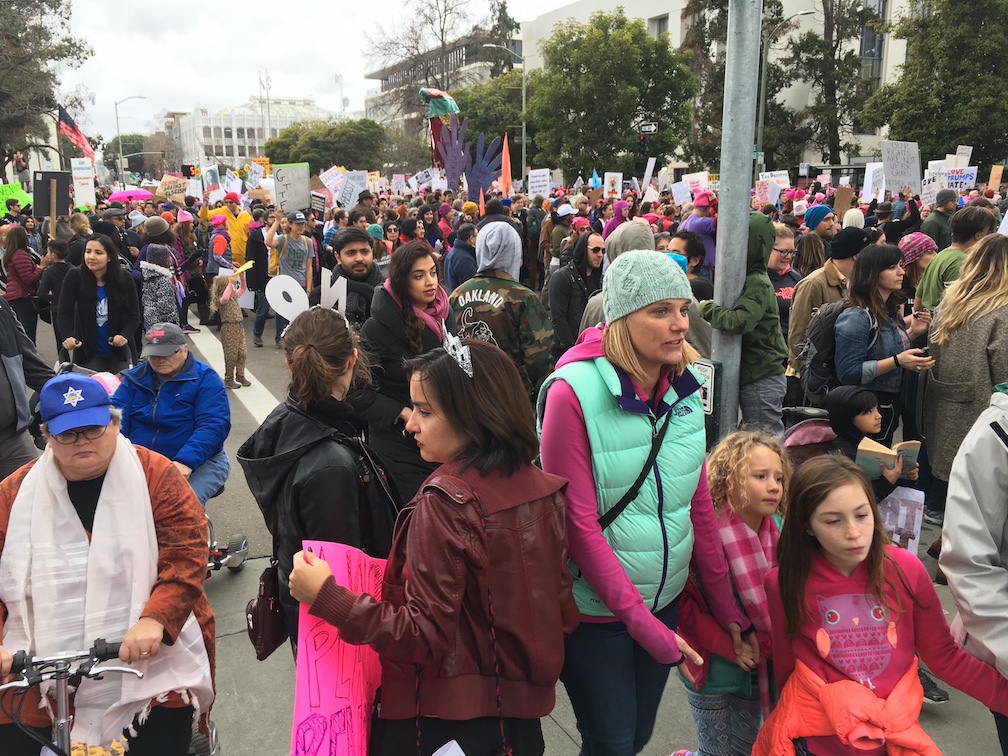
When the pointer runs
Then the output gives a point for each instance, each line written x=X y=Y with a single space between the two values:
x=748 y=474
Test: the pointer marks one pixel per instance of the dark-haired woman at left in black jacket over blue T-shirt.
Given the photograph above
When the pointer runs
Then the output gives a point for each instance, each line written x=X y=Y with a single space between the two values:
x=98 y=306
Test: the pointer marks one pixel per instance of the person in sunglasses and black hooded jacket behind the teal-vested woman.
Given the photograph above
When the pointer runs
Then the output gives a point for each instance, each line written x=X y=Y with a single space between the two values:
x=571 y=288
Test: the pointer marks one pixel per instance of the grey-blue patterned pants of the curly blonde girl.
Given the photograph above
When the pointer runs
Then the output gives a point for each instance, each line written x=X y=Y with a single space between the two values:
x=727 y=725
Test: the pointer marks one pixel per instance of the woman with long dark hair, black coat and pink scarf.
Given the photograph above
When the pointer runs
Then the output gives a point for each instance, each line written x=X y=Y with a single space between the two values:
x=407 y=320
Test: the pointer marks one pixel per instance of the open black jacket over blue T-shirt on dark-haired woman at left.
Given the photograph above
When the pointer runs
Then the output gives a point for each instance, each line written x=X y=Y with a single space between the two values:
x=77 y=313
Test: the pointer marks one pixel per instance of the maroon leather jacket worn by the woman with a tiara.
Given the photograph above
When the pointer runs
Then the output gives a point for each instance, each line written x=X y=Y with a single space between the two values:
x=434 y=618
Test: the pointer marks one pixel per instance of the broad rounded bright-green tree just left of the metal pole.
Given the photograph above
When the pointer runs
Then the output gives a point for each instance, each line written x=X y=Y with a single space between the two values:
x=600 y=81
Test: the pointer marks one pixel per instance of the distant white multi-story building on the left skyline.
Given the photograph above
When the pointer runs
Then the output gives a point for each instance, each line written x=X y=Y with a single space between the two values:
x=241 y=132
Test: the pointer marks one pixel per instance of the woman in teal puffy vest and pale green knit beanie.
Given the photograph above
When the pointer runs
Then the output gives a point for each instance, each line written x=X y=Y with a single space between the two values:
x=615 y=396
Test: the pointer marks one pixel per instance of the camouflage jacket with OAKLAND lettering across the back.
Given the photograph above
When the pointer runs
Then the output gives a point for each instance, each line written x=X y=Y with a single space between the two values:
x=494 y=308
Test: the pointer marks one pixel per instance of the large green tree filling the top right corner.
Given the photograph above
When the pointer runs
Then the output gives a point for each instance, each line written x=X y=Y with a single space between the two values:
x=943 y=97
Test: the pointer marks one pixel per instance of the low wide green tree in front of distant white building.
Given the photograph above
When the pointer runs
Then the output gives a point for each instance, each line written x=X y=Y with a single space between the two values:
x=356 y=145
